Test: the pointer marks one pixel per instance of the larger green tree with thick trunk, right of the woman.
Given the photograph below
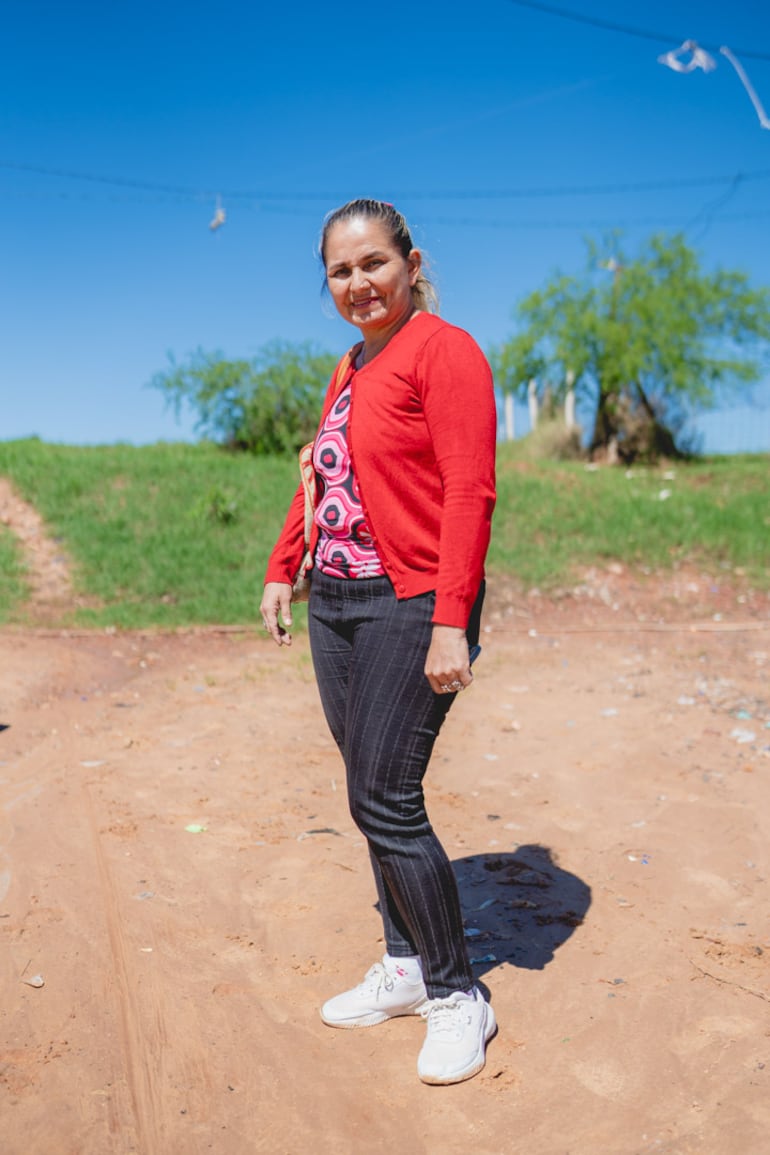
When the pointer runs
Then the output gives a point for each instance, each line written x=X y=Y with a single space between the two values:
x=649 y=341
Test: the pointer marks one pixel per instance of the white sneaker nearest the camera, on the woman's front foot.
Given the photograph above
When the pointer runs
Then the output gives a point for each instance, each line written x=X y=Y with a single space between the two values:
x=459 y=1030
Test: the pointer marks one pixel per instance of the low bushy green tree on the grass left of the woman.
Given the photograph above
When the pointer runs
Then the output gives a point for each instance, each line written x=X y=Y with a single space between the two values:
x=268 y=405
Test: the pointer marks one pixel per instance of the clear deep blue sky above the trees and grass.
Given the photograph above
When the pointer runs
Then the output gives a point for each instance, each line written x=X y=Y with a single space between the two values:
x=485 y=124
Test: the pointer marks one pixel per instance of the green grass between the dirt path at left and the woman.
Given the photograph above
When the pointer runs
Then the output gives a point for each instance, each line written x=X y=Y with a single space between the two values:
x=161 y=535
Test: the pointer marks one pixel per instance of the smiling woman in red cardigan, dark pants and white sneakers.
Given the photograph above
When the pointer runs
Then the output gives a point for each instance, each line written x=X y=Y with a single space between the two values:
x=405 y=464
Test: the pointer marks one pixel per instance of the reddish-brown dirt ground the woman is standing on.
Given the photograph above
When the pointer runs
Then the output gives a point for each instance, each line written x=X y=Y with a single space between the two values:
x=182 y=888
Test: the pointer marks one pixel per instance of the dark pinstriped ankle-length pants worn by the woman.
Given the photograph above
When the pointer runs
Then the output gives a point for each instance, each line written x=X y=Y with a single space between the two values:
x=369 y=652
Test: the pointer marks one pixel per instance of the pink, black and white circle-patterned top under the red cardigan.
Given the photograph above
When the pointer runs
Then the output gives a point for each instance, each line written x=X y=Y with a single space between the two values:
x=346 y=548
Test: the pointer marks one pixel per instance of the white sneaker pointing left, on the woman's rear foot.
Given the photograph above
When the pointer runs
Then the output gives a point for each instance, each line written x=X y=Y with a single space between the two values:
x=385 y=994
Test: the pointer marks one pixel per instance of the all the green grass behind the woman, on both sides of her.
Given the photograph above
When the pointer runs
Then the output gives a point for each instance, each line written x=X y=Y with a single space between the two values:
x=174 y=535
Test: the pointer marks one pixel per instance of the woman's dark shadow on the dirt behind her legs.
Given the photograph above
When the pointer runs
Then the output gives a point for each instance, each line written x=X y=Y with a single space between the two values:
x=519 y=908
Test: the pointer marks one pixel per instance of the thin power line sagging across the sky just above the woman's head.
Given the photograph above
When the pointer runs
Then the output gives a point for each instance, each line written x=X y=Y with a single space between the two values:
x=205 y=195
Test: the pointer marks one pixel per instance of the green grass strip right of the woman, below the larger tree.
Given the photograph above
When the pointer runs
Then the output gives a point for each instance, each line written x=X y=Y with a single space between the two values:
x=554 y=518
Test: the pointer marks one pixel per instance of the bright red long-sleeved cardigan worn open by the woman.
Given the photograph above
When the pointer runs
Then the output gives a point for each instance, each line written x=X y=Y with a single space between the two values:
x=422 y=436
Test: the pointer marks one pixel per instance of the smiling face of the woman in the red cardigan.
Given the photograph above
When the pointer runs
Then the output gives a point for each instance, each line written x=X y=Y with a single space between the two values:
x=369 y=279
